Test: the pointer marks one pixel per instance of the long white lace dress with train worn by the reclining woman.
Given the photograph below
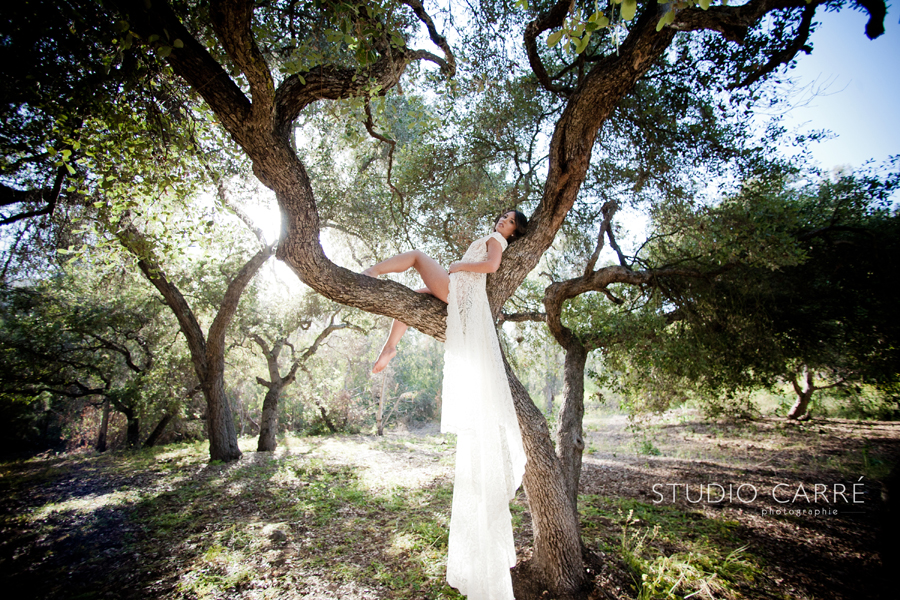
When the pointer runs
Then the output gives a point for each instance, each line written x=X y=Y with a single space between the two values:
x=490 y=459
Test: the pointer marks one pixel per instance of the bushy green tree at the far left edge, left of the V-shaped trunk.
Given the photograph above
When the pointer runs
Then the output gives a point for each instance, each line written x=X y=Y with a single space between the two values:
x=63 y=337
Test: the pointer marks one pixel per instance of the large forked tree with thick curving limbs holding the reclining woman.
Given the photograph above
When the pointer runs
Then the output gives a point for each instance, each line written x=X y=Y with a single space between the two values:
x=367 y=57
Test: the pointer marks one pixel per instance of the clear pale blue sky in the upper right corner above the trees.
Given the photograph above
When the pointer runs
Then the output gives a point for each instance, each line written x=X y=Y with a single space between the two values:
x=861 y=99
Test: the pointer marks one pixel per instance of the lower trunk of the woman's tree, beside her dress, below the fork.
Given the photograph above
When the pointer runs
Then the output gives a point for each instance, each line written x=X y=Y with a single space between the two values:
x=556 y=560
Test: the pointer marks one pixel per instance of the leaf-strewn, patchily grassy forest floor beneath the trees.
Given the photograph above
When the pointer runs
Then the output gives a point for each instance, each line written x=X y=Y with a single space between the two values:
x=678 y=509
